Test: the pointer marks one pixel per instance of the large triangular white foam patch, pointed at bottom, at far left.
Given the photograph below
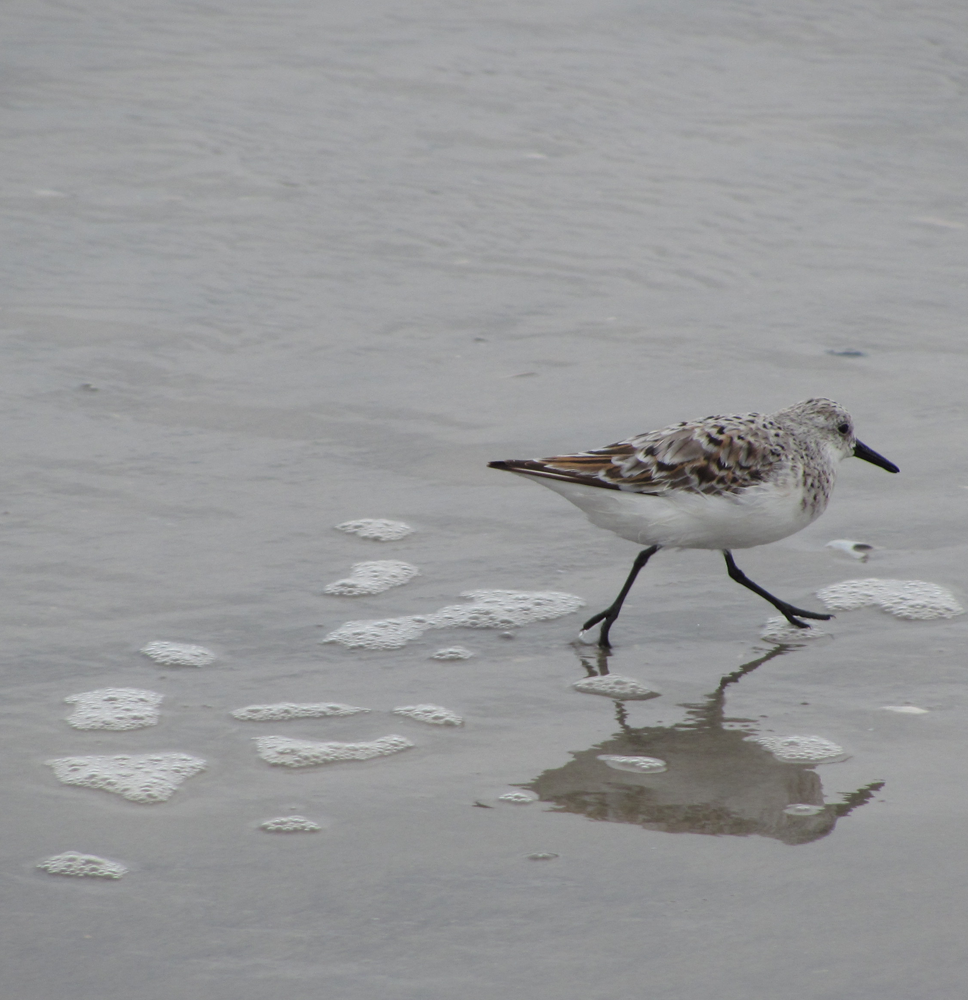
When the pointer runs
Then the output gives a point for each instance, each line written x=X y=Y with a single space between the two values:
x=144 y=778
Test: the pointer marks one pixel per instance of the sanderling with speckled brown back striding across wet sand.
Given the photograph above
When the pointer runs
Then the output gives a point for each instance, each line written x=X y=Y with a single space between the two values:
x=723 y=483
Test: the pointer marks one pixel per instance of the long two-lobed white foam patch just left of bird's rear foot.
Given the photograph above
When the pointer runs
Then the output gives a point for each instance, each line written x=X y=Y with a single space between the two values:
x=488 y=609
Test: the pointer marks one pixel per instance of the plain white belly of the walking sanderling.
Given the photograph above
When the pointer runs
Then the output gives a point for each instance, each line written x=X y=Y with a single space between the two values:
x=692 y=520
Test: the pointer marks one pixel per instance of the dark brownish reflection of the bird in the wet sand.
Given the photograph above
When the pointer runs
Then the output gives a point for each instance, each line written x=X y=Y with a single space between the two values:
x=716 y=782
